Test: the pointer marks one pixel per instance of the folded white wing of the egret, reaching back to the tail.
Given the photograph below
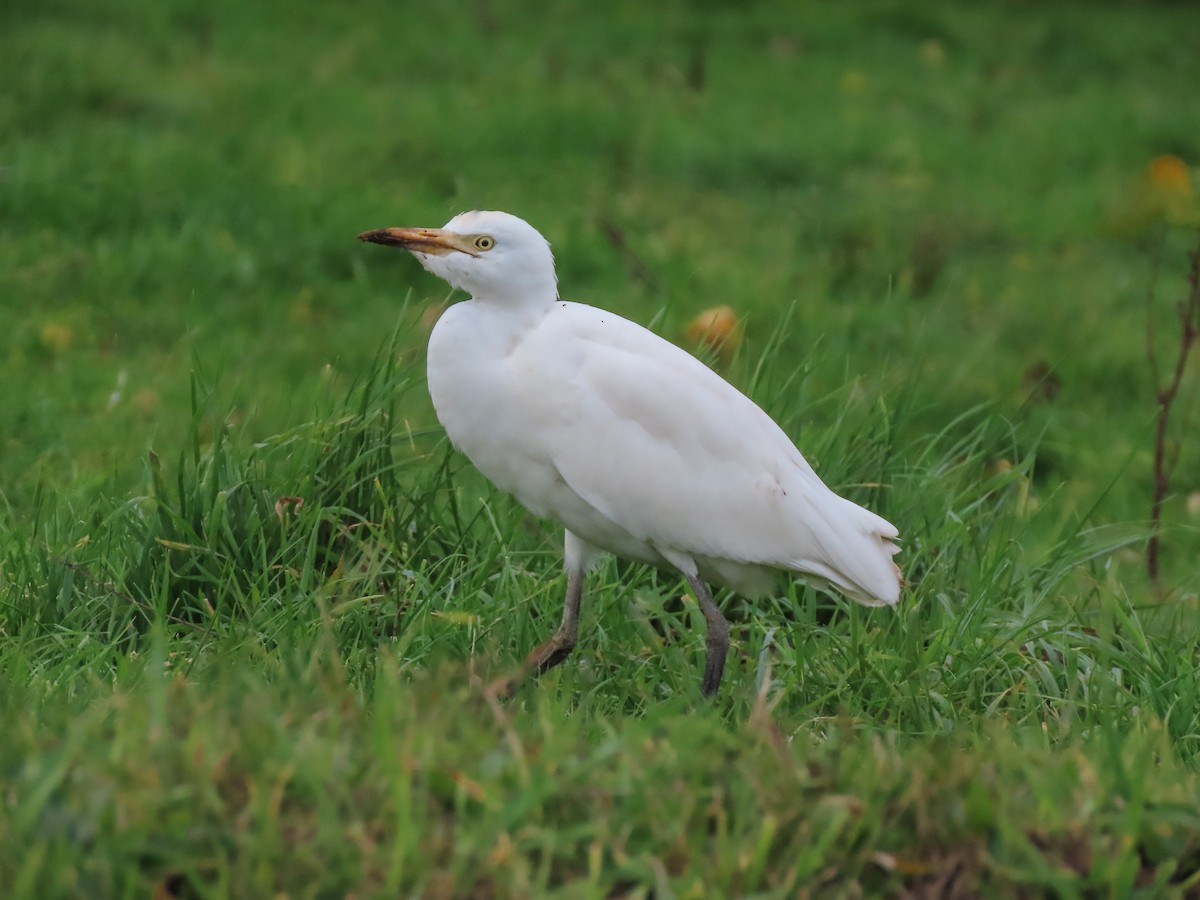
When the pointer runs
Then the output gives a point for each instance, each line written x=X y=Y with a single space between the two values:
x=675 y=455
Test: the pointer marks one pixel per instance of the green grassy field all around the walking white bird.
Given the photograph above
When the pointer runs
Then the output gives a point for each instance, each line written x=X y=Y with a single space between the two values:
x=250 y=599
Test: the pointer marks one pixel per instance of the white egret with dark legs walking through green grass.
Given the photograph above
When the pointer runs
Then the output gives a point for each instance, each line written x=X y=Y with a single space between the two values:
x=634 y=446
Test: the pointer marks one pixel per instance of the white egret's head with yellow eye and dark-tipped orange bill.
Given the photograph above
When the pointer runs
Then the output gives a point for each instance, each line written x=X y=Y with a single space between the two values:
x=493 y=256
